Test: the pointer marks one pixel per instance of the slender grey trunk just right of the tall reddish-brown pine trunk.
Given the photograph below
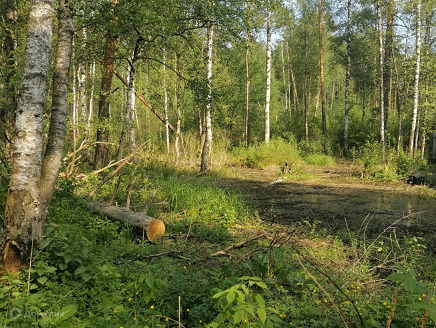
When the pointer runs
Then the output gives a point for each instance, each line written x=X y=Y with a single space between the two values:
x=347 y=79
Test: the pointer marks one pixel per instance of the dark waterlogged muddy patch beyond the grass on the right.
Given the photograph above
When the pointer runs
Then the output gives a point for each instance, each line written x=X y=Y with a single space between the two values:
x=330 y=195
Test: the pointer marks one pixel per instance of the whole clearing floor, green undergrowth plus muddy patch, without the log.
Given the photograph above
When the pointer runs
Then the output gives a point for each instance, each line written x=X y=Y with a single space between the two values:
x=248 y=247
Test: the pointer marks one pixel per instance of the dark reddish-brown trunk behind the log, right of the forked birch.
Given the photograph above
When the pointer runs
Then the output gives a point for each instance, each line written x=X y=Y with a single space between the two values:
x=102 y=150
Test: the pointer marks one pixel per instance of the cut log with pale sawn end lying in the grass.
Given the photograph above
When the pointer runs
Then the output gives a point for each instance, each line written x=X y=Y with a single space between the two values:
x=153 y=228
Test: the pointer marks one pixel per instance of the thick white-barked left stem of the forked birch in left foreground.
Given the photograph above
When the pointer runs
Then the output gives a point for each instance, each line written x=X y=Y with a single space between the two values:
x=25 y=215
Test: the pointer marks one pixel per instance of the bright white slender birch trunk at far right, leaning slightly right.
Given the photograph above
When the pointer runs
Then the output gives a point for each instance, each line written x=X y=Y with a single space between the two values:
x=413 y=128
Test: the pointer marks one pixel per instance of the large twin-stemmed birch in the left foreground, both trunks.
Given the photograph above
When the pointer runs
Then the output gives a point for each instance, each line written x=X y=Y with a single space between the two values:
x=31 y=182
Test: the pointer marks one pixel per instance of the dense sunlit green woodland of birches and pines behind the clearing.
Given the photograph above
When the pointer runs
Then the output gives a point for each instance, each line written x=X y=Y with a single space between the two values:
x=378 y=63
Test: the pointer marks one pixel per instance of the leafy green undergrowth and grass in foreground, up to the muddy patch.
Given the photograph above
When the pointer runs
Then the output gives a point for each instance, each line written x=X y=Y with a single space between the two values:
x=92 y=272
